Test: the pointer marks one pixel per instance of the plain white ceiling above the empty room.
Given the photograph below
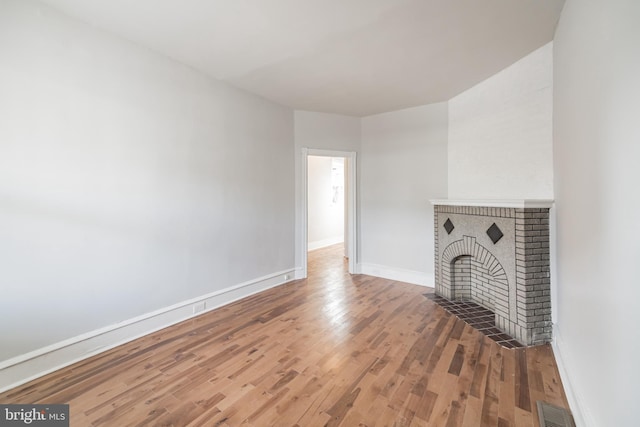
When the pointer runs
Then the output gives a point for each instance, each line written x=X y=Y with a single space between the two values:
x=353 y=57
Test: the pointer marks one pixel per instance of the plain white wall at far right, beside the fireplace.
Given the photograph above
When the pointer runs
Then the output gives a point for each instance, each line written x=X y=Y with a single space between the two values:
x=596 y=155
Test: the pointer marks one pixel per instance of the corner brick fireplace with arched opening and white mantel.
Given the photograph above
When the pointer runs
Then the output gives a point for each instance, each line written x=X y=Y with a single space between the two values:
x=496 y=254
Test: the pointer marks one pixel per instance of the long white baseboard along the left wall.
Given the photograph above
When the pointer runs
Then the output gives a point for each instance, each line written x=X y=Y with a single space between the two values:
x=22 y=369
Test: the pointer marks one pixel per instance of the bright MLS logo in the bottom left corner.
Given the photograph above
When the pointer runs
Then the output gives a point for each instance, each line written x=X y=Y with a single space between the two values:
x=34 y=415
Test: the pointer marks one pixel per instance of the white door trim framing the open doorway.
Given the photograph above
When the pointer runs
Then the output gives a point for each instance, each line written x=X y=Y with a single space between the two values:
x=352 y=247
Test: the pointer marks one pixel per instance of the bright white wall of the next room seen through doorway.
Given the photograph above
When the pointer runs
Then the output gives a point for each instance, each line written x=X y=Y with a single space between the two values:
x=325 y=210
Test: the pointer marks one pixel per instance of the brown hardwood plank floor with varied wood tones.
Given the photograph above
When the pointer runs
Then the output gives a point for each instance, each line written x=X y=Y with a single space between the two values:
x=332 y=350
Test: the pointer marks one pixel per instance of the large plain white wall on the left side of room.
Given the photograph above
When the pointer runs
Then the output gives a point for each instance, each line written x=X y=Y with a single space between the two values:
x=128 y=182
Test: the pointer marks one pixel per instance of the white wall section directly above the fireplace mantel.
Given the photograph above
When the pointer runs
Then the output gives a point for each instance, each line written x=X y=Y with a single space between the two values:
x=500 y=133
